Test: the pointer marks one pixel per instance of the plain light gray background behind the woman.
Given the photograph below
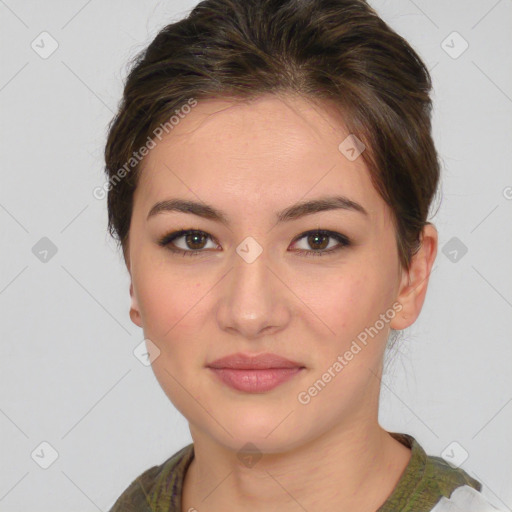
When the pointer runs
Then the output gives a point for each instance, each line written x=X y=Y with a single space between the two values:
x=68 y=374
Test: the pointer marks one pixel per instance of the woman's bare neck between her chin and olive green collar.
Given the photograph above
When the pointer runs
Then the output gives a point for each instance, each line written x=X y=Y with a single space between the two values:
x=345 y=469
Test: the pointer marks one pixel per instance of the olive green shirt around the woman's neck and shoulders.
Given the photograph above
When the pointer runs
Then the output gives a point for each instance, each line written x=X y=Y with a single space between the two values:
x=425 y=480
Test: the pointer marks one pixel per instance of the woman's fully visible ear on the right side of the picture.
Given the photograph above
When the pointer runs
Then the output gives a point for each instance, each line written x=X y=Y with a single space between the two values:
x=413 y=287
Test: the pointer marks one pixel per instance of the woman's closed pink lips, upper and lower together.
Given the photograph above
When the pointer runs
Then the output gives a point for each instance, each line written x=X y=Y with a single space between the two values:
x=254 y=374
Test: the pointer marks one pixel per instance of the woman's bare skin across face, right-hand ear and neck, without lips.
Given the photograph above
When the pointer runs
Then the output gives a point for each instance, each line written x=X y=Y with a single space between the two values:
x=252 y=160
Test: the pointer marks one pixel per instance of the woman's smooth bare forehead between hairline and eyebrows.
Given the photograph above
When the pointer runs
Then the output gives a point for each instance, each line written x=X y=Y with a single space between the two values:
x=263 y=153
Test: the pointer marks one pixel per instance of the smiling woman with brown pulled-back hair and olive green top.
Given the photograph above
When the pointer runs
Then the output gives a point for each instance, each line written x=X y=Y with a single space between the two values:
x=271 y=169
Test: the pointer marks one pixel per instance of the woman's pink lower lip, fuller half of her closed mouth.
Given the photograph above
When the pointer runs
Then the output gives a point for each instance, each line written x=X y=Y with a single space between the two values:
x=255 y=381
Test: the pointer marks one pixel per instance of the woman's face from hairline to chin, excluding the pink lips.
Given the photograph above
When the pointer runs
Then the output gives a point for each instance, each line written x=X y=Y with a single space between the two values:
x=250 y=290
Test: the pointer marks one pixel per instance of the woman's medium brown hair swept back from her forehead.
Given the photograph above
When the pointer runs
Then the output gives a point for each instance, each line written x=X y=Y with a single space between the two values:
x=335 y=52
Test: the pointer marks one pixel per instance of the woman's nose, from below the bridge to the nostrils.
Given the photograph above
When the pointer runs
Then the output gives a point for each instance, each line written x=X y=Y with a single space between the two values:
x=253 y=301
